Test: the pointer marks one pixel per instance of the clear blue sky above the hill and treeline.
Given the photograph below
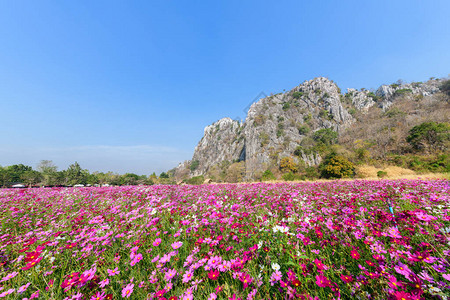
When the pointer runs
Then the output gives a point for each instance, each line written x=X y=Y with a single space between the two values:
x=129 y=86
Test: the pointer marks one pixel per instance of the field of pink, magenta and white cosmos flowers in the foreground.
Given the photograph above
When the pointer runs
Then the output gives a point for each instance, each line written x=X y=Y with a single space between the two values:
x=321 y=240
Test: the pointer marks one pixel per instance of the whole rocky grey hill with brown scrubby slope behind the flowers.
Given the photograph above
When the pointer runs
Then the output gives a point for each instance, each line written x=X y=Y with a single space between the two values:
x=314 y=118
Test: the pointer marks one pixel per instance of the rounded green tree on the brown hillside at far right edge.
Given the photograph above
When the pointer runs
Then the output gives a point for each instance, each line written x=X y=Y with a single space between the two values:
x=429 y=136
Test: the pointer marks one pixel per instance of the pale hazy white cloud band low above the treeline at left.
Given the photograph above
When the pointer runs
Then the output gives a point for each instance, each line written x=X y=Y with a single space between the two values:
x=140 y=159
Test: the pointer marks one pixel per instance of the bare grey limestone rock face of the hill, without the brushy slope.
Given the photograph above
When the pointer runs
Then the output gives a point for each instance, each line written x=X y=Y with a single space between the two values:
x=276 y=125
